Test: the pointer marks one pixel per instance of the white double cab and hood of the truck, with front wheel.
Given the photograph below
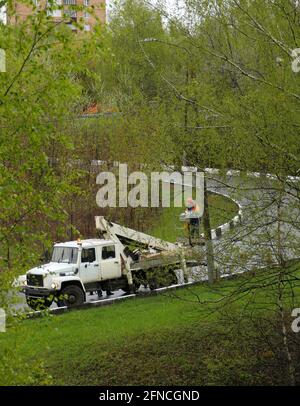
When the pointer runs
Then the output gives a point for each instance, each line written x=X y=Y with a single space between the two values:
x=75 y=268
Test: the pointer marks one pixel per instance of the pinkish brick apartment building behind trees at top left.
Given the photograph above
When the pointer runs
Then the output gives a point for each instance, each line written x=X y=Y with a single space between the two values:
x=92 y=12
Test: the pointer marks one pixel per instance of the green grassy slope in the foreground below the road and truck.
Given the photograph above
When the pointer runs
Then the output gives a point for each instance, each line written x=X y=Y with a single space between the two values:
x=162 y=340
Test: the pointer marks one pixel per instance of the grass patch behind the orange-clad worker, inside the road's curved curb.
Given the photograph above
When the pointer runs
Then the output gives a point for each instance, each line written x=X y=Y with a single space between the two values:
x=169 y=228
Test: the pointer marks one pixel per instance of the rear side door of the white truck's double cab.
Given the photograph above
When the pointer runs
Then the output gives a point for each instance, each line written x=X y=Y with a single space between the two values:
x=110 y=263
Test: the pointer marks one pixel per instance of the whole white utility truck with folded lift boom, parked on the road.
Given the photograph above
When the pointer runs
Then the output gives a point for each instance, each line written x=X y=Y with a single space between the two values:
x=121 y=259
